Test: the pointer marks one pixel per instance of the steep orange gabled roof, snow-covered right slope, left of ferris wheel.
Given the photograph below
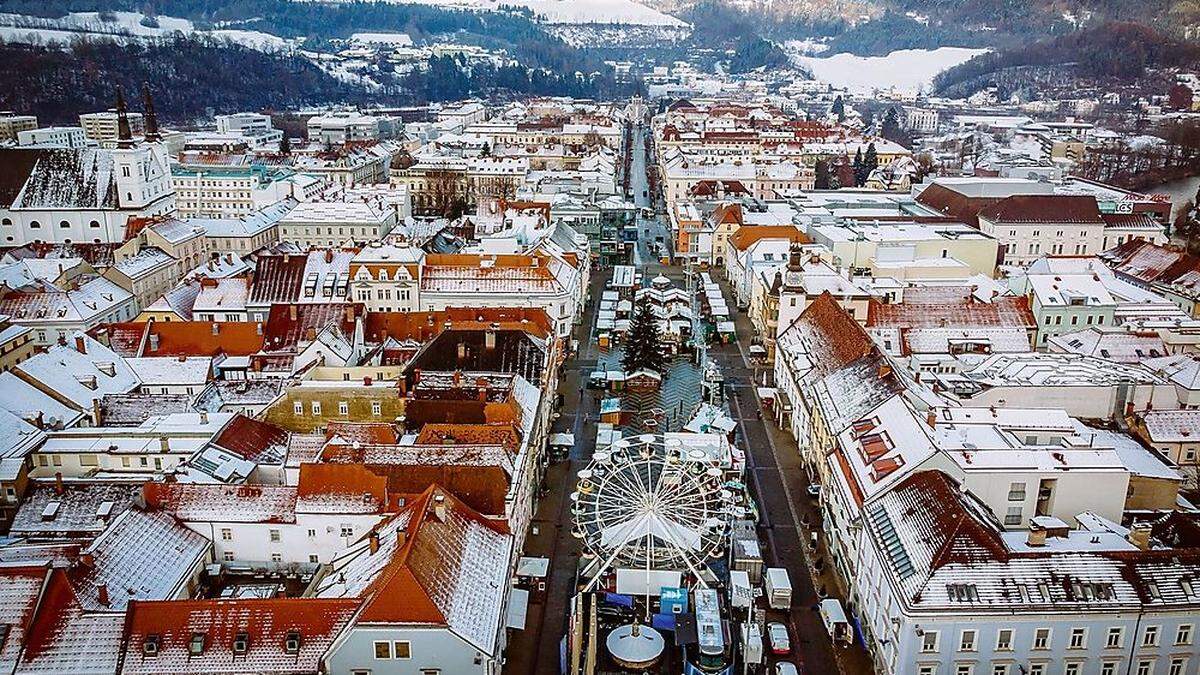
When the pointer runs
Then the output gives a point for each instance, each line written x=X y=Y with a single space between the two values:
x=436 y=564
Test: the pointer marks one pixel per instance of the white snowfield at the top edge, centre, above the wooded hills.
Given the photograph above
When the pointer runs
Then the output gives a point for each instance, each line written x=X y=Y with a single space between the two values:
x=569 y=11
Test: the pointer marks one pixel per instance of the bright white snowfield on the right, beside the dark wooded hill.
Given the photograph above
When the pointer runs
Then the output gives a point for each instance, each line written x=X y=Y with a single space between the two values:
x=908 y=70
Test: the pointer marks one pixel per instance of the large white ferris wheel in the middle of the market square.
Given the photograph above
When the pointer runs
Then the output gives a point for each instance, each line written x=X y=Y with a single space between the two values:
x=650 y=503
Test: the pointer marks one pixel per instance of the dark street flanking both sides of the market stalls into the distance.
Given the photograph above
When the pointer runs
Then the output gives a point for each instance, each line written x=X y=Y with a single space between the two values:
x=776 y=477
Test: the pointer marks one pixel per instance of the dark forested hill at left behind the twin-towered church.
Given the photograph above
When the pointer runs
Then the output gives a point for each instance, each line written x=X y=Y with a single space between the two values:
x=189 y=76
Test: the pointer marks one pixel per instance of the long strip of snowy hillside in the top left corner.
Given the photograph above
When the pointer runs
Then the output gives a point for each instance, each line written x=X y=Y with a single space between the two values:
x=125 y=26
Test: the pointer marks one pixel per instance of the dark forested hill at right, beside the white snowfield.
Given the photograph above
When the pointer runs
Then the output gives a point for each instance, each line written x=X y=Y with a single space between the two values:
x=1119 y=52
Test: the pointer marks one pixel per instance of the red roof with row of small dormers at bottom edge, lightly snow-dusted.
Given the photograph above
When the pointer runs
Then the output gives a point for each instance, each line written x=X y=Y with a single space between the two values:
x=266 y=625
